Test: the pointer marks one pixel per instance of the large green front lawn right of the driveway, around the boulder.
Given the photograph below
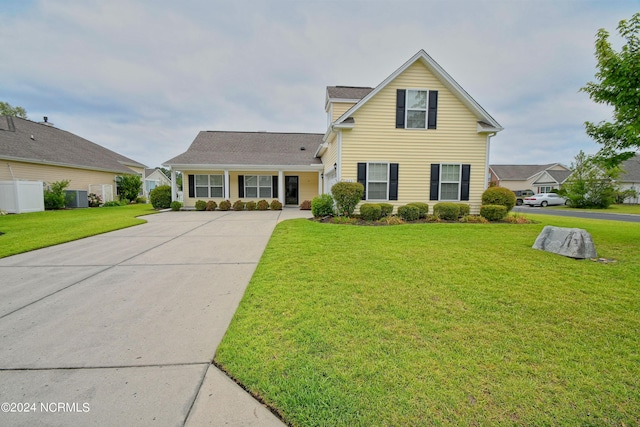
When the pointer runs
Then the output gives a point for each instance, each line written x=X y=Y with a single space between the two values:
x=441 y=324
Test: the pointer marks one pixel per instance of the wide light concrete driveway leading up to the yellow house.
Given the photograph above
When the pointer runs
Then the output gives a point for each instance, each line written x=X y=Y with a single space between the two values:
x=120 y=329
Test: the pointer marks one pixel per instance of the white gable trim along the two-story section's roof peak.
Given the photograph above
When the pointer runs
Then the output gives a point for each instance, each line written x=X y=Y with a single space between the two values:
x=443 y=77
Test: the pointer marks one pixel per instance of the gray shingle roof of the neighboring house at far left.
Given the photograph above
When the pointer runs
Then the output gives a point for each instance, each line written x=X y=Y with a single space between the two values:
x=24 y=140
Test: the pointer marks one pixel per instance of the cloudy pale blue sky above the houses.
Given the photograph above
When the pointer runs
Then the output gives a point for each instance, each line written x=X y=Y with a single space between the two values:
x=144 y=77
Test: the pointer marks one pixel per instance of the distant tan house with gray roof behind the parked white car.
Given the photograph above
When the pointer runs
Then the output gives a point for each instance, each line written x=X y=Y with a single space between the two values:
x=538 y=178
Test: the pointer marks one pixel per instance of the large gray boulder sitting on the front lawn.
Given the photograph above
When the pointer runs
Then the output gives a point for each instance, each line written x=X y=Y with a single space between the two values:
x=570 y=242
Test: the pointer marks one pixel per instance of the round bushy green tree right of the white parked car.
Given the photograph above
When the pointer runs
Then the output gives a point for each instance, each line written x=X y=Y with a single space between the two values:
x=591 y=184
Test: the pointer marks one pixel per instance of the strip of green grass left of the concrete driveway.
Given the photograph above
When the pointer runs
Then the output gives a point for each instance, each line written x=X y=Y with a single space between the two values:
x=29 y=231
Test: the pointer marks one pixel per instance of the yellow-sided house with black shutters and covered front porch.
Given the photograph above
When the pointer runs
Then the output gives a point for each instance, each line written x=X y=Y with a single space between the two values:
x=417 y=136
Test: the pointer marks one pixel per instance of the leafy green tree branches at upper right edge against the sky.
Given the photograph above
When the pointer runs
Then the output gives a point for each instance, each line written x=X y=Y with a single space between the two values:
x=618 y=75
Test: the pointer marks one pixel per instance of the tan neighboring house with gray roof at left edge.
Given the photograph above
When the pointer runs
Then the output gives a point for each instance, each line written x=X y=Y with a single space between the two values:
x=33 y=151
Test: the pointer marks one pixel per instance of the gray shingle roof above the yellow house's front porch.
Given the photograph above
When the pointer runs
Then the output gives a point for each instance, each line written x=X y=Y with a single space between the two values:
x=251 y=148
